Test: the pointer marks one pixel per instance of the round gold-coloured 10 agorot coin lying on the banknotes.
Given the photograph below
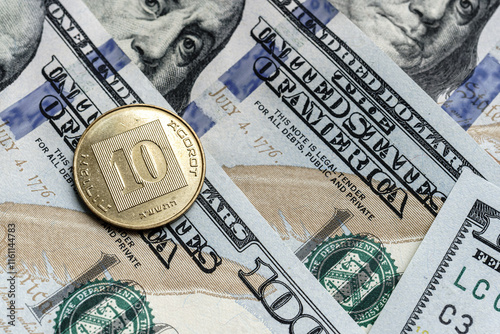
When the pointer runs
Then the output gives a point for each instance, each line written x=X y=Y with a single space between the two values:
x=139 y=166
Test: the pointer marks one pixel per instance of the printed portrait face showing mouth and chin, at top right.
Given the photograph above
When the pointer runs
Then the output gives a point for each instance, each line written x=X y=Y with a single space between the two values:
x=417 y=34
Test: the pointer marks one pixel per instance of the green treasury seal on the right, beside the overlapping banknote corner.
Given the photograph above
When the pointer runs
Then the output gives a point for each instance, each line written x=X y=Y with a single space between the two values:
x=358 y=272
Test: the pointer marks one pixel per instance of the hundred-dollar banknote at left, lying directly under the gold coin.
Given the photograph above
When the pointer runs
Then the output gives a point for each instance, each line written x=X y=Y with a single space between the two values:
x=218 y=269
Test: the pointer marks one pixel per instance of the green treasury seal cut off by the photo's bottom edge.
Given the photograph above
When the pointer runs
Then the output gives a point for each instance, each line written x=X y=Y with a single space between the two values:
x=105 y=307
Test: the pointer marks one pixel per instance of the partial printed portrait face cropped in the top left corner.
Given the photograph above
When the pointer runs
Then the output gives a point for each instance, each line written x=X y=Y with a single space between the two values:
x=21 y=25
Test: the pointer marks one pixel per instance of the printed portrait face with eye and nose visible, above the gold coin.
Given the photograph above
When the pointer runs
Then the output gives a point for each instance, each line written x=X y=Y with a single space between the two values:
x=168 y=39
